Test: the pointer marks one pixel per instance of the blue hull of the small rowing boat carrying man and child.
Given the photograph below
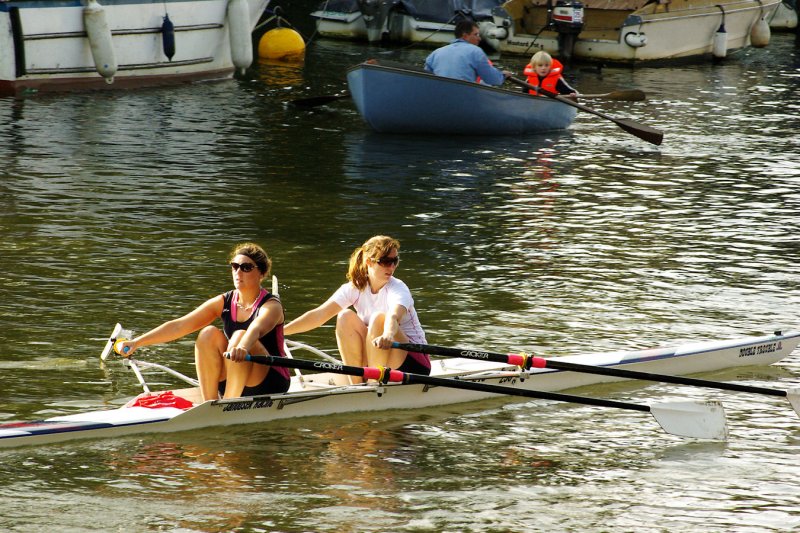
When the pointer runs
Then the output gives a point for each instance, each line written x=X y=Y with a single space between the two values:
x=399 y=100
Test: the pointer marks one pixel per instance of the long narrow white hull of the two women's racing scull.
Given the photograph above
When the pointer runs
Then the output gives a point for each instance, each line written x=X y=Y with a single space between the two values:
x=314 y=396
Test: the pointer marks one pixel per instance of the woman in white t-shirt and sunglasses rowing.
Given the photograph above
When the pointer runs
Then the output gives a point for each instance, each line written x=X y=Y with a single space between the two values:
x=383 y=312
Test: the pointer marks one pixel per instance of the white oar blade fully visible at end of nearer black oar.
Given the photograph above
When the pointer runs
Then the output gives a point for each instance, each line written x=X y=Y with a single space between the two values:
x=699 y=420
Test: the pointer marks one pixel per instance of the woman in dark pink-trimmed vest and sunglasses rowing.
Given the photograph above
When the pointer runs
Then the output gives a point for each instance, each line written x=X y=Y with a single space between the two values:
x=252 y=322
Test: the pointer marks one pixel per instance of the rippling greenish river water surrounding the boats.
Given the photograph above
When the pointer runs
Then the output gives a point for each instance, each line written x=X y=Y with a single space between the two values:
x=121 y=207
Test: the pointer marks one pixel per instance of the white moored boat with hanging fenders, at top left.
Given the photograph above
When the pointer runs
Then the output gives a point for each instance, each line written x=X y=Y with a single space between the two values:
x=65 y=45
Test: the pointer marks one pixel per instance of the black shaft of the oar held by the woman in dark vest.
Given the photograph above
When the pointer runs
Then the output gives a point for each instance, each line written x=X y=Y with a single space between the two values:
x=386 y=375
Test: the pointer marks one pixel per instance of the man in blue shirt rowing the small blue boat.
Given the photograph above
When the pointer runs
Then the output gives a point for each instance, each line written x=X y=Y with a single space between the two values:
x=463 y=59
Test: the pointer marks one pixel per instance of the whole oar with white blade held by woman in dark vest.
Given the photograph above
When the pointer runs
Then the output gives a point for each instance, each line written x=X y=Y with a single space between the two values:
x=701 y=420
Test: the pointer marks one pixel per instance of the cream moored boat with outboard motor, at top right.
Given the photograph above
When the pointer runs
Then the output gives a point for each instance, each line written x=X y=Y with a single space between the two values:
x=631 y=31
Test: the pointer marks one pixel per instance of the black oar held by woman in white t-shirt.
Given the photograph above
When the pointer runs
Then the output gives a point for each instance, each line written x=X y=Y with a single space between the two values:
x=527 y=361
